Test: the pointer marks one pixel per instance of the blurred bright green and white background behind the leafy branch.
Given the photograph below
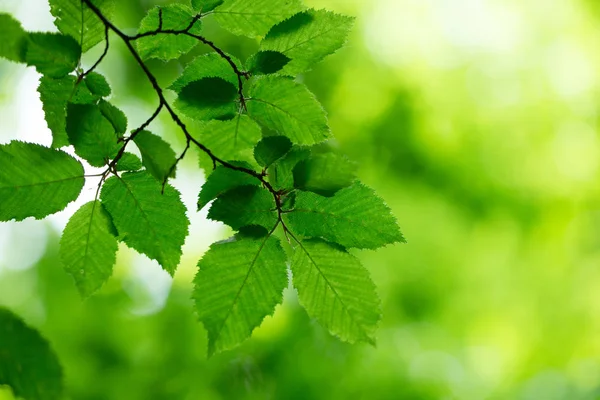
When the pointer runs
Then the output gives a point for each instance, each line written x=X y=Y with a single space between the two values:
x=476 y=120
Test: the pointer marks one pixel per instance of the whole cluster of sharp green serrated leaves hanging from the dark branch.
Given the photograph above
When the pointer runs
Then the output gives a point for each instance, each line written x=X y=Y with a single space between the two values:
x=261 y=136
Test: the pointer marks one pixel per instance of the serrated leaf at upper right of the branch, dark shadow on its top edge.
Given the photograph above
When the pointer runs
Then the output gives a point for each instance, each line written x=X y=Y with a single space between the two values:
x=307 y=38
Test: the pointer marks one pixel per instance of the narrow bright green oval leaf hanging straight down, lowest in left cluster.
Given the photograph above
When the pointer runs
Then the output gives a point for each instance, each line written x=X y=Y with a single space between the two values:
x=88 y=247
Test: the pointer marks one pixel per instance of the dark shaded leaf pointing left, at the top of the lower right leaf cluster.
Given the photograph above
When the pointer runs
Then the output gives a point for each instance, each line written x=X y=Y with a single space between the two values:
x=222 y=180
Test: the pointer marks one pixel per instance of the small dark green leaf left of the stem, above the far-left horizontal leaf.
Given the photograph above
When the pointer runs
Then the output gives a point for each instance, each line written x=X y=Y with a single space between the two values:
x=92 y=135
